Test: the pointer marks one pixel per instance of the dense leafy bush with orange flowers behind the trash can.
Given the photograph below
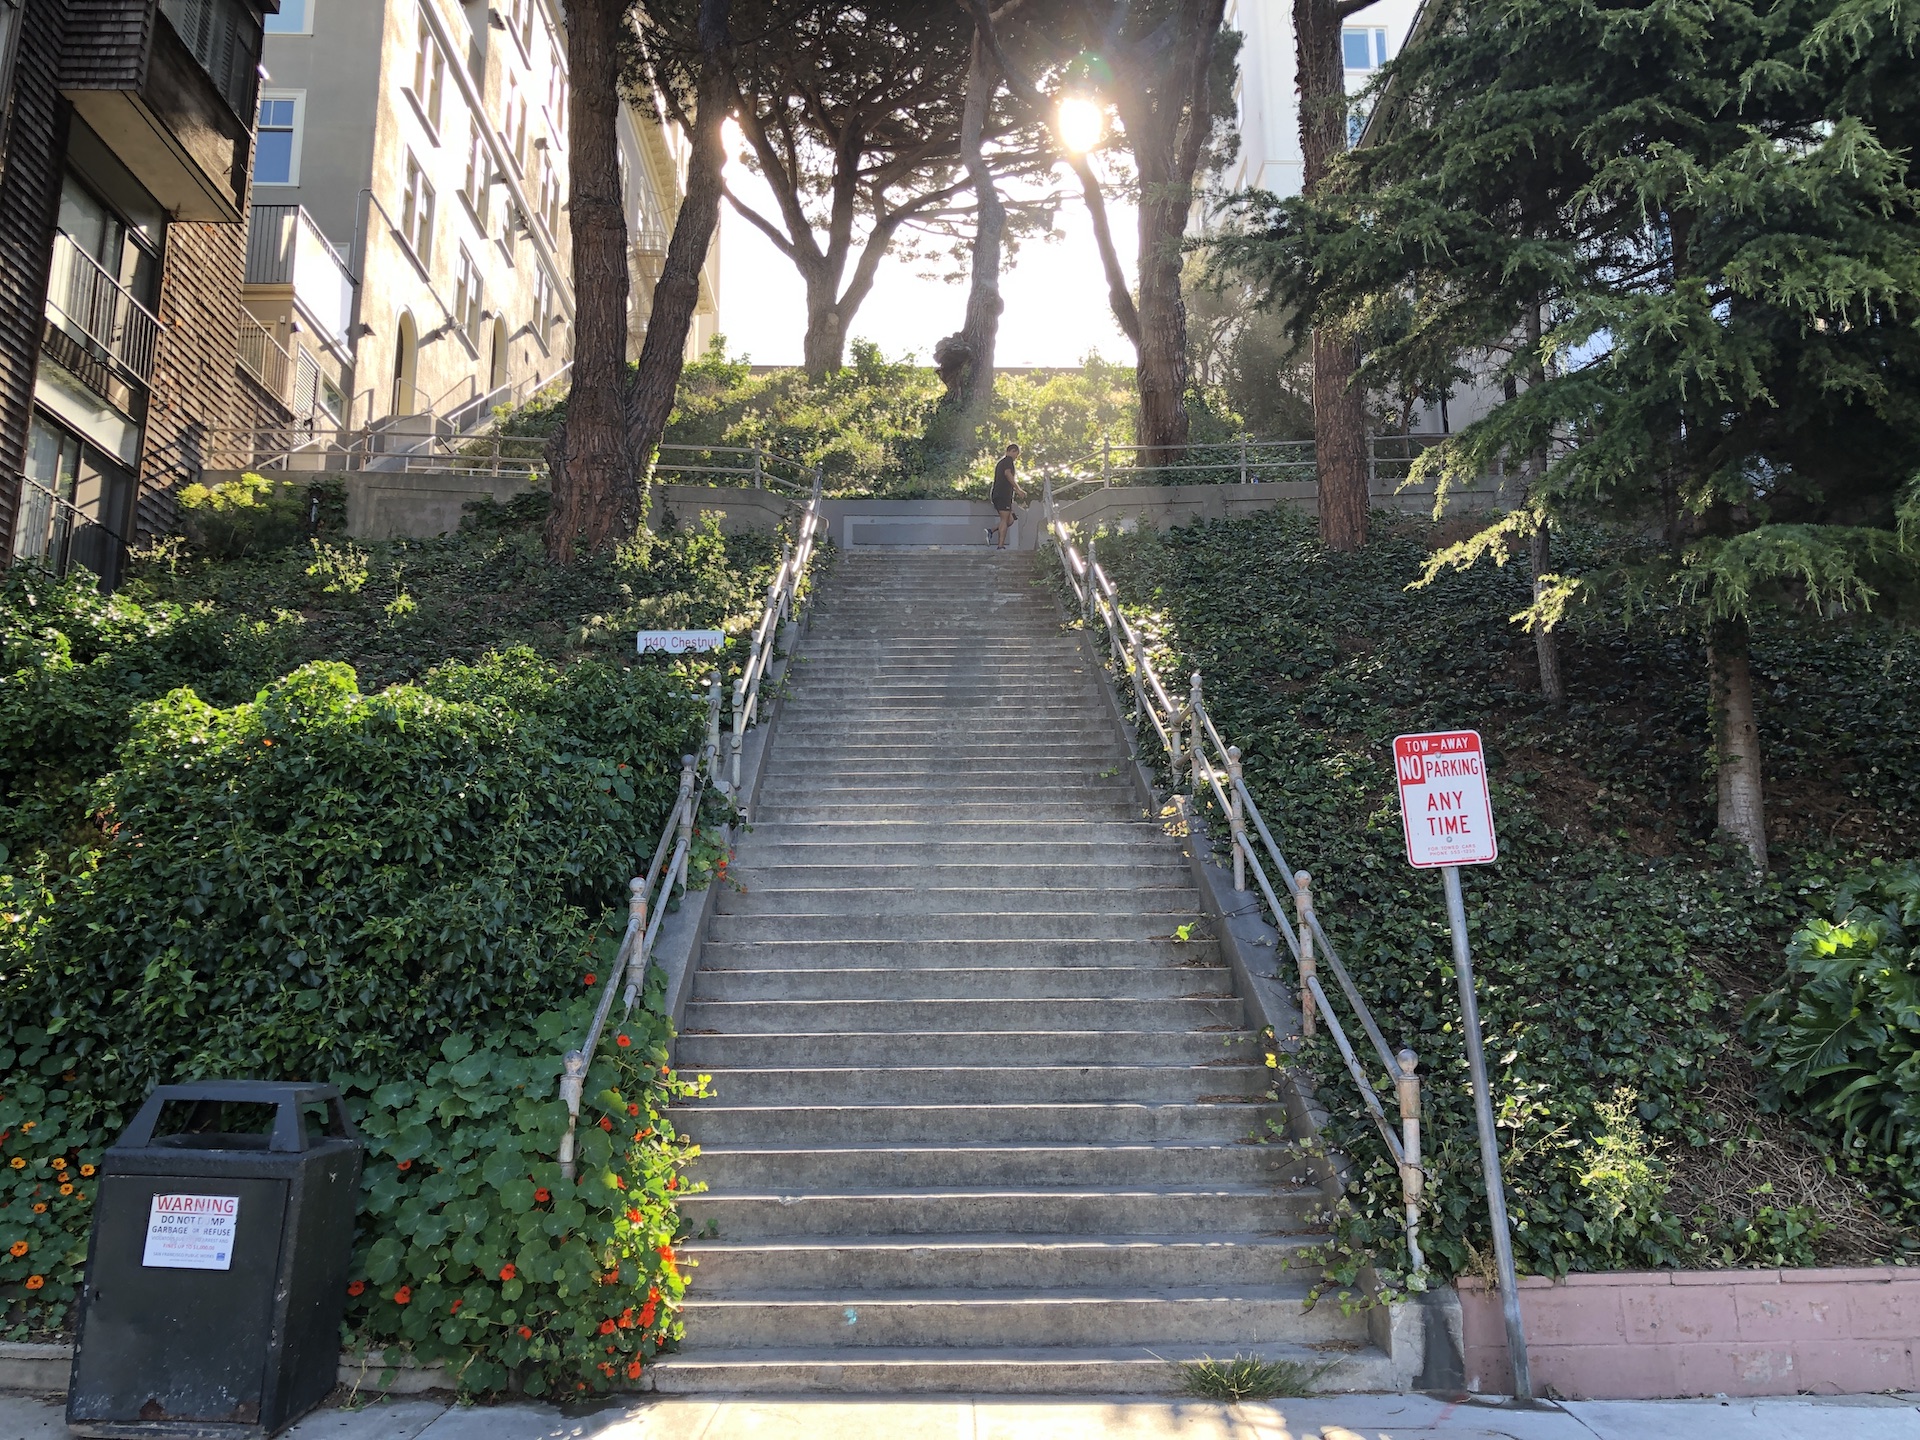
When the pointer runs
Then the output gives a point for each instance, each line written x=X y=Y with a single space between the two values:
x=402 y=892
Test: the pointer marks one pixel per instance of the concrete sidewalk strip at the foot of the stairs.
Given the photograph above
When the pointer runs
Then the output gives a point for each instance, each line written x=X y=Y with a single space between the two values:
x=1013 y=1418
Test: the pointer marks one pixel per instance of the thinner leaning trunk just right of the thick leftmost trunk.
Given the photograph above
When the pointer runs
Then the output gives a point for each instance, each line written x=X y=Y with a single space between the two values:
x=679 y=291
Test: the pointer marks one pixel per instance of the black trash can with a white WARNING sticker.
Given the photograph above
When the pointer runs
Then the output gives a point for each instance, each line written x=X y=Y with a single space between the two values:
x=218 y=1266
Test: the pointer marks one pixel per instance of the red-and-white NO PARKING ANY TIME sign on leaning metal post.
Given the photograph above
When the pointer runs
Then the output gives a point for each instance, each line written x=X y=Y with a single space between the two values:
x=1449 y=823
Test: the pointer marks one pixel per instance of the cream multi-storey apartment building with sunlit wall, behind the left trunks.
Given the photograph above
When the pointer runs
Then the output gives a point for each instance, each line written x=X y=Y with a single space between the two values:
x=414 y=160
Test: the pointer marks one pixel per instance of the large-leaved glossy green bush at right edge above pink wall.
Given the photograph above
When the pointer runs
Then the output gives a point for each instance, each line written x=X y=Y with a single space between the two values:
x=1842 y=1032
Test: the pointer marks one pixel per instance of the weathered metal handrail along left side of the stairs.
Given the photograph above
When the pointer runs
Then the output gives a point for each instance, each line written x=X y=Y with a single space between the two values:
x=717 y=765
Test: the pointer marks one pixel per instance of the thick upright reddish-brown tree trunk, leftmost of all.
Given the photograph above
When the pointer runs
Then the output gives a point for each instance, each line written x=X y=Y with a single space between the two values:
x=588 y=458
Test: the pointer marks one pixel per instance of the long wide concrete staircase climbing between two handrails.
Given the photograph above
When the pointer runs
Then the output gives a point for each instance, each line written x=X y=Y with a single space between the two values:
x=982 y=1120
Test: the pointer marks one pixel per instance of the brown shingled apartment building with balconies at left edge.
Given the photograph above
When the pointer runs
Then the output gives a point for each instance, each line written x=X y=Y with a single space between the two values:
x=126 y=149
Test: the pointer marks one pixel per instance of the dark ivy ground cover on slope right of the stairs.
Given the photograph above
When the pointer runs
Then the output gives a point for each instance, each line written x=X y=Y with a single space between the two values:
x=1618 y=946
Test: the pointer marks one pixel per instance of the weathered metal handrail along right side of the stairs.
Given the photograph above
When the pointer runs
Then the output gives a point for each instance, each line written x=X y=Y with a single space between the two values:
x=1212 y=771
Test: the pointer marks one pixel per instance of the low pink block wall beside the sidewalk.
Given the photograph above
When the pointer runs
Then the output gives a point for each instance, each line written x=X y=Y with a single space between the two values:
x=1646 y=1335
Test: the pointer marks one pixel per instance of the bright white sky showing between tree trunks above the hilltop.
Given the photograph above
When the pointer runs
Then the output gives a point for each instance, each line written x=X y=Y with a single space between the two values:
x=1055 y=293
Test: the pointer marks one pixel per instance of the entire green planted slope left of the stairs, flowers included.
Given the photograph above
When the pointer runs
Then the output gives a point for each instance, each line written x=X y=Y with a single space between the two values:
x=218 y=869
